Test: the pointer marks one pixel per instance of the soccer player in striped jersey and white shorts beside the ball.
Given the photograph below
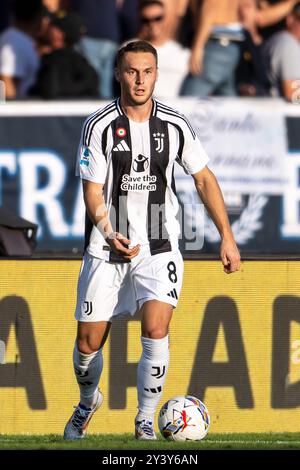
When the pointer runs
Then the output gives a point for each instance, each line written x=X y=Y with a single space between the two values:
x=131 y=260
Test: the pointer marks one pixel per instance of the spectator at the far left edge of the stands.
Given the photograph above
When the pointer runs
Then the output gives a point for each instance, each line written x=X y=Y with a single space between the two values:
x=19 y=61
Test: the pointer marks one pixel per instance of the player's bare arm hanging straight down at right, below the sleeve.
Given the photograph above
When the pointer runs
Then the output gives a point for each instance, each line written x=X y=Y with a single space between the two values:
x=210 y=193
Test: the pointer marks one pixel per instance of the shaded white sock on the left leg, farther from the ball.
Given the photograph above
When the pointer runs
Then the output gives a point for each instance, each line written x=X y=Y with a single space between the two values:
x=88 y=368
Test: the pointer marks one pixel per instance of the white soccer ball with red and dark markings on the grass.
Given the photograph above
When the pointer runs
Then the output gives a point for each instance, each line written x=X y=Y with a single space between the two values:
x=183 y=419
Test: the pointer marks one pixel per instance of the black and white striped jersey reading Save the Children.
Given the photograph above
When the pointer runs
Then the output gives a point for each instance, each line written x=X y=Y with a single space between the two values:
x=135 y=162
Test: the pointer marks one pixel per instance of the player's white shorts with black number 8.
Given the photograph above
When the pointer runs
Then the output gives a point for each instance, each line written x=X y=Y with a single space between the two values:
x=107 y=290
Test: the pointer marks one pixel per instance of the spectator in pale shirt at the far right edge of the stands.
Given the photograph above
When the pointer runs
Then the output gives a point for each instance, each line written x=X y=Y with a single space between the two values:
x=282 y=52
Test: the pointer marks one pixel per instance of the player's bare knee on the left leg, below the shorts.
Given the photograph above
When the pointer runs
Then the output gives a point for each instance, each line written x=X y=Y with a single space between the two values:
x=91 y=336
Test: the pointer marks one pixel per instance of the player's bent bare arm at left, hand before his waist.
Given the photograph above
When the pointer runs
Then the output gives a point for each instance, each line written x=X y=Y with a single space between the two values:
x=98 y=214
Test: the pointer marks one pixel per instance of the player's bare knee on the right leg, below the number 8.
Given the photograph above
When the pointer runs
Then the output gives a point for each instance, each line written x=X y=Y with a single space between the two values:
x=156 y=317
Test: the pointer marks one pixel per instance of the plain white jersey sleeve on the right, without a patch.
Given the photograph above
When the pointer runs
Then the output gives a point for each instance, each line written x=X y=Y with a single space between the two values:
x=191 y=156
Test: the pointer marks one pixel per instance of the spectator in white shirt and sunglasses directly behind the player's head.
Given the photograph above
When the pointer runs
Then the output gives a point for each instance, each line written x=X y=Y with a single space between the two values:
x=172 y=57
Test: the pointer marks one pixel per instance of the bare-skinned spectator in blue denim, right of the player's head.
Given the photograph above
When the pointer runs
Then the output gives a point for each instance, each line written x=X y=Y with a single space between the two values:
x=215 y=51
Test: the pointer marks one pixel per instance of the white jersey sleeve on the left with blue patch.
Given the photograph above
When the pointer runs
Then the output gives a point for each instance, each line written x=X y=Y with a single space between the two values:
x=91 y=161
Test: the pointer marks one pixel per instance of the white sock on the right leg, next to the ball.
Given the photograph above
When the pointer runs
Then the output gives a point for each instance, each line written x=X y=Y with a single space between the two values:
x=151 y=375
